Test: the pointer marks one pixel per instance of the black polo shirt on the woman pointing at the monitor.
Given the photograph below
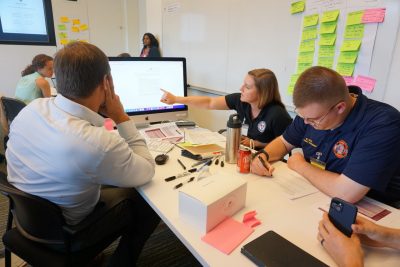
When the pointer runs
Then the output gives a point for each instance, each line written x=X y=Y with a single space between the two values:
x=270 y=123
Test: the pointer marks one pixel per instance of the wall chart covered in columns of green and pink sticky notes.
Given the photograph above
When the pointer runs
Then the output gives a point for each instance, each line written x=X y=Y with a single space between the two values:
x=340 y=35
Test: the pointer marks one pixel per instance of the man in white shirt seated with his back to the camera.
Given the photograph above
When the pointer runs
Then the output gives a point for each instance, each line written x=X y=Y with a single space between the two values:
x=70 y=155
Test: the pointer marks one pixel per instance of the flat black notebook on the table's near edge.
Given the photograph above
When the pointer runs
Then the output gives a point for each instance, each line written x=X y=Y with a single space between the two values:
x=273 y=250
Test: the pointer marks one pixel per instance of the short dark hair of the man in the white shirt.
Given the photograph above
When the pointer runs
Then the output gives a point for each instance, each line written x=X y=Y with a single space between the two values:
x=80 y=67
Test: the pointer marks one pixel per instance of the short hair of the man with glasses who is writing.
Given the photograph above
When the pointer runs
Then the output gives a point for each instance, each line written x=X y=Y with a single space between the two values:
x=319 y=85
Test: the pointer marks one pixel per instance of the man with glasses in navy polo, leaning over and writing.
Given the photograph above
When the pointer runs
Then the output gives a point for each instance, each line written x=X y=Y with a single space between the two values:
x=350 y=143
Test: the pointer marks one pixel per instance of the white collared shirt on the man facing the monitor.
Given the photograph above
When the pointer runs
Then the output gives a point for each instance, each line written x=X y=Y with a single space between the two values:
x=60 y=151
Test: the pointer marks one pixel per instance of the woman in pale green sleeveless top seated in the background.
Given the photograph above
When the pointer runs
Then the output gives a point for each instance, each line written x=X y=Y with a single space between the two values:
x=33 y=84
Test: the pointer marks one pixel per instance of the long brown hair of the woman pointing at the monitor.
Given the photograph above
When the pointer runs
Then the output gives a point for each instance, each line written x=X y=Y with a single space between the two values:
x=267 y=87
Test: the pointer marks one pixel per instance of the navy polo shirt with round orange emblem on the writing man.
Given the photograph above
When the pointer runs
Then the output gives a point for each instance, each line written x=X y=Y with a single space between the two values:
x=365 y=147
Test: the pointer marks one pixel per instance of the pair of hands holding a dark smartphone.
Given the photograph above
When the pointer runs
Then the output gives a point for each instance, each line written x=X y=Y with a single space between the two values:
x=347 y=251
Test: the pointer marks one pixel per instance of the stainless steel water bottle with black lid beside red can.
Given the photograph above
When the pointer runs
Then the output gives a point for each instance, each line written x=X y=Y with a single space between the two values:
x=233 y=133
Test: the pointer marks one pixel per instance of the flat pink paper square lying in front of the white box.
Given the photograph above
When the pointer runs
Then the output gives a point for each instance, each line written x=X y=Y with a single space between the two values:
x=227 y=235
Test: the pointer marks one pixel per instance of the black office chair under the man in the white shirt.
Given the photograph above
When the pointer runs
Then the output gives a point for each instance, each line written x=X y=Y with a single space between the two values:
x=39 y=222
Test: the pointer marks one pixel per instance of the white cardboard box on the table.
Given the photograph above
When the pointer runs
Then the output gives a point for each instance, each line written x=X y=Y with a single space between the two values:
x=206 y=203
